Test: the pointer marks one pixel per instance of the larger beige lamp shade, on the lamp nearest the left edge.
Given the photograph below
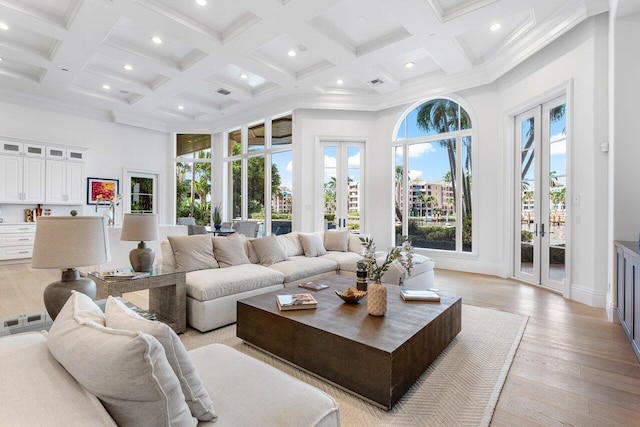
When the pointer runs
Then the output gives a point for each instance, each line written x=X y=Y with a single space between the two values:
x=68 y=242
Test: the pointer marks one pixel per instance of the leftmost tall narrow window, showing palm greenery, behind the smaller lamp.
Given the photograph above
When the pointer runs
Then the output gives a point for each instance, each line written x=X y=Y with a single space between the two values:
x=193 y=178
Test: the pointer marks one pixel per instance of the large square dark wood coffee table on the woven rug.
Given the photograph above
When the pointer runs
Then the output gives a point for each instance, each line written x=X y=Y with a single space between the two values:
x=378 y=358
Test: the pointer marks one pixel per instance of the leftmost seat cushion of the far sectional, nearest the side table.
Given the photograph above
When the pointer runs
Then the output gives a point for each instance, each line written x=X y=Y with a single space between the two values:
x=205 y=285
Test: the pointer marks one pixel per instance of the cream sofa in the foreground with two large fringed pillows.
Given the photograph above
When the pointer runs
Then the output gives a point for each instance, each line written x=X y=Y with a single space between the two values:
x=95 y=369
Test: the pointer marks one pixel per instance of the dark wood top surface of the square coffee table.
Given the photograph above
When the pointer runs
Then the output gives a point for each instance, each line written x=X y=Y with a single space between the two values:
x=352 y=321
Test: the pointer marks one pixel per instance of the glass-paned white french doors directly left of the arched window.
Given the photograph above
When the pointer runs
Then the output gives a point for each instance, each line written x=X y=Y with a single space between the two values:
x=343 y=185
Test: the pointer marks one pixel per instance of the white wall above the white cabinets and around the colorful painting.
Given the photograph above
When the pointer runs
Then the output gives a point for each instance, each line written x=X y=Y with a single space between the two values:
x=111 y=147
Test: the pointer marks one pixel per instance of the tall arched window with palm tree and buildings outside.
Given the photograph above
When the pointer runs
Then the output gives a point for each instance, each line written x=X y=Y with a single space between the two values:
x=433 y=149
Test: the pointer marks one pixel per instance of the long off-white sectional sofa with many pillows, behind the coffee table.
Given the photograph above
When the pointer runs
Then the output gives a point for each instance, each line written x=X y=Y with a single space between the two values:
x=222 y=270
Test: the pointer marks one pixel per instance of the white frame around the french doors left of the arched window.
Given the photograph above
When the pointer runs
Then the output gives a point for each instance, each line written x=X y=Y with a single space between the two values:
x=321 y=141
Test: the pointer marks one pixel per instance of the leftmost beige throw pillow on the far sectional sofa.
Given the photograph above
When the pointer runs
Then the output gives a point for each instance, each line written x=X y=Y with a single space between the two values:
x=193 y=252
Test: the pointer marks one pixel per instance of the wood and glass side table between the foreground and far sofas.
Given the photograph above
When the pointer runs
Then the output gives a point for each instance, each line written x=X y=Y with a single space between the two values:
x=167 y=293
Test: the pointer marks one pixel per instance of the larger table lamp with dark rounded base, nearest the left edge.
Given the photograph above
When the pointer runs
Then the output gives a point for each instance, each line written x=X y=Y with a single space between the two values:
x=68 y=242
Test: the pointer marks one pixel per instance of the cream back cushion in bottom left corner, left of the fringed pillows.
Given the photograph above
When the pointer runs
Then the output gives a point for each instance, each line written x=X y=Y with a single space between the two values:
x=37 y=391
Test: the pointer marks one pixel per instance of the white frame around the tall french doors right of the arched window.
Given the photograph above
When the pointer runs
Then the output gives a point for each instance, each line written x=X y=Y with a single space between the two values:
x=565 y=89
